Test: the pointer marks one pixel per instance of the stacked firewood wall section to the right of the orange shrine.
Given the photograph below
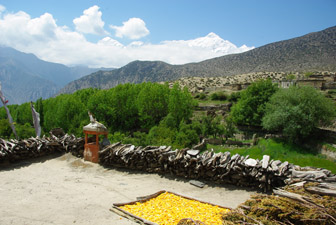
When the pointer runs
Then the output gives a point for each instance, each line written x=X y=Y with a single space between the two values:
x=220 y=167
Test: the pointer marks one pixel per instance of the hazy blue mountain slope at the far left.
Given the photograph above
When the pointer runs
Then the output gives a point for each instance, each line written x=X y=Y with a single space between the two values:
x=25 y=78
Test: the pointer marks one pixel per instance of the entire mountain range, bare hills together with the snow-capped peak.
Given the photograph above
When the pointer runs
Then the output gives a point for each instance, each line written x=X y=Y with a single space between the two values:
x=25 y=78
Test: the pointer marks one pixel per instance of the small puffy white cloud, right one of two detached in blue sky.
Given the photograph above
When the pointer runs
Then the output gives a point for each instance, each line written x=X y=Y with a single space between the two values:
x=134 y=28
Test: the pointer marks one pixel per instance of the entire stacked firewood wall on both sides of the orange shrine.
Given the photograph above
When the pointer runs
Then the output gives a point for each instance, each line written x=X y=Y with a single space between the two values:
x=222 y=168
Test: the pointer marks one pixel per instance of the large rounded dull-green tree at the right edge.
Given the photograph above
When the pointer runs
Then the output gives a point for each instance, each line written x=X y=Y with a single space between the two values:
x=297 y=111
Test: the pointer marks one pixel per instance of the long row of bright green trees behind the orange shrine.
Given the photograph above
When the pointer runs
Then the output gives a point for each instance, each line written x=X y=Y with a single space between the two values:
x=125 y=108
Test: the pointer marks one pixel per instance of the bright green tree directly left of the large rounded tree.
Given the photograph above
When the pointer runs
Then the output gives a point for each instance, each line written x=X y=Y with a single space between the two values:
x=250 y=108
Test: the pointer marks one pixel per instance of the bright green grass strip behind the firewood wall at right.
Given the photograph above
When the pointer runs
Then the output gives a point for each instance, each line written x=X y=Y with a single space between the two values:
x=279 y=150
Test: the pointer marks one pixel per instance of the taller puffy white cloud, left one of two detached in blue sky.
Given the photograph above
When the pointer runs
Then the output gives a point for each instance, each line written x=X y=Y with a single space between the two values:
x=90 y=22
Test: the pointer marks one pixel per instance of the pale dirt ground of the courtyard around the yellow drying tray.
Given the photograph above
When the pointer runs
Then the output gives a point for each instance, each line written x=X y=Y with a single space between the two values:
x=68 y=190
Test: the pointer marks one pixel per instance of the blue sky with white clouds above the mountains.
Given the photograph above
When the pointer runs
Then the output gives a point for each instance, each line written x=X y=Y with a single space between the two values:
x=112 y=33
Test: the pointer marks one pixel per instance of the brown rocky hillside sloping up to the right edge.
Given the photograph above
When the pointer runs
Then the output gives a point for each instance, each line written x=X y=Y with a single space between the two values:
x=312 y=52
